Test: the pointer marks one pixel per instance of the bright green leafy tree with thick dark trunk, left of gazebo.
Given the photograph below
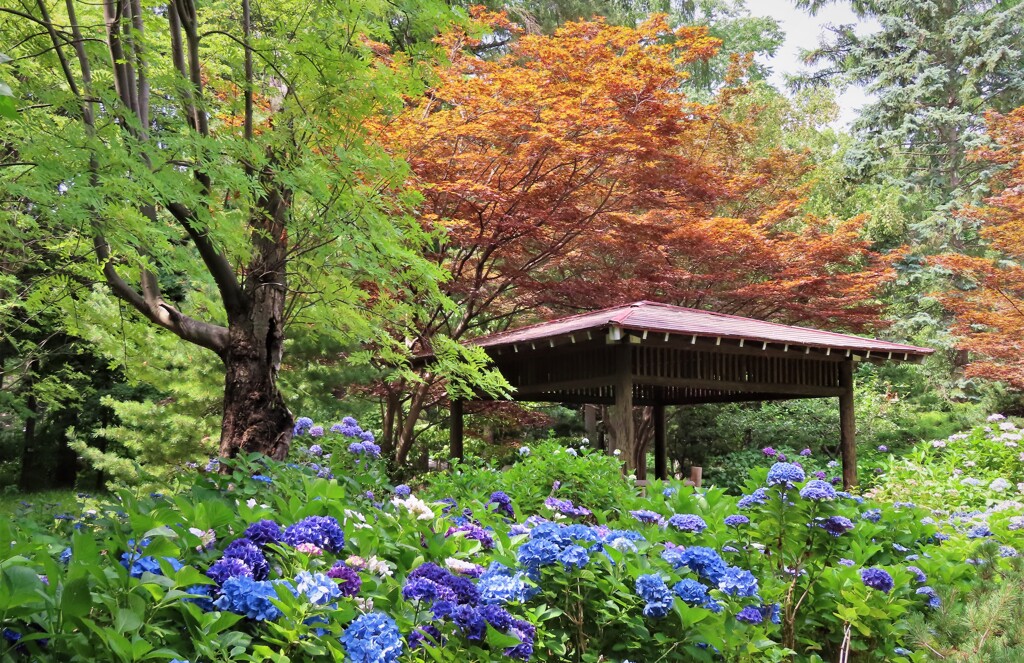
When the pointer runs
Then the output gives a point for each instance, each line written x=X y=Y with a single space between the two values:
x=217 y=145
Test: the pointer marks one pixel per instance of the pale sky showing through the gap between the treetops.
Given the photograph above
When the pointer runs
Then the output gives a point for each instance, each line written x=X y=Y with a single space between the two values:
x=804 y=31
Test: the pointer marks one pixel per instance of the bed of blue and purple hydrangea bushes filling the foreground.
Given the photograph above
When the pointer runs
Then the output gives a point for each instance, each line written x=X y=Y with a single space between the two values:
x=320 y=559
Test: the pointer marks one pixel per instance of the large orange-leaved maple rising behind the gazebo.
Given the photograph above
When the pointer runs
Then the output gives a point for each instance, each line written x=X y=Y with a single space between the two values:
x=574 y=174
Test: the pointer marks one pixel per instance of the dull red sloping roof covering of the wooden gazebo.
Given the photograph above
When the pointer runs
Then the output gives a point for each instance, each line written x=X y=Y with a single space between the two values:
x=654 y=317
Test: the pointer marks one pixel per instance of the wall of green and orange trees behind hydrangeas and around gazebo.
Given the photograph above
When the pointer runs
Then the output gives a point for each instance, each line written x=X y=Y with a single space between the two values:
x=267 y=209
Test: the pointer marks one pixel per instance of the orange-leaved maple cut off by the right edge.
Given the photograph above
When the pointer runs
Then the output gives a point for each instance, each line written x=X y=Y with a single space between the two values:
x=989 y=305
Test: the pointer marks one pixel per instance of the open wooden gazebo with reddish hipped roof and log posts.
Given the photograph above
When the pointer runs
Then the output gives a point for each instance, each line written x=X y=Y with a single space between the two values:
x=650 y=354
